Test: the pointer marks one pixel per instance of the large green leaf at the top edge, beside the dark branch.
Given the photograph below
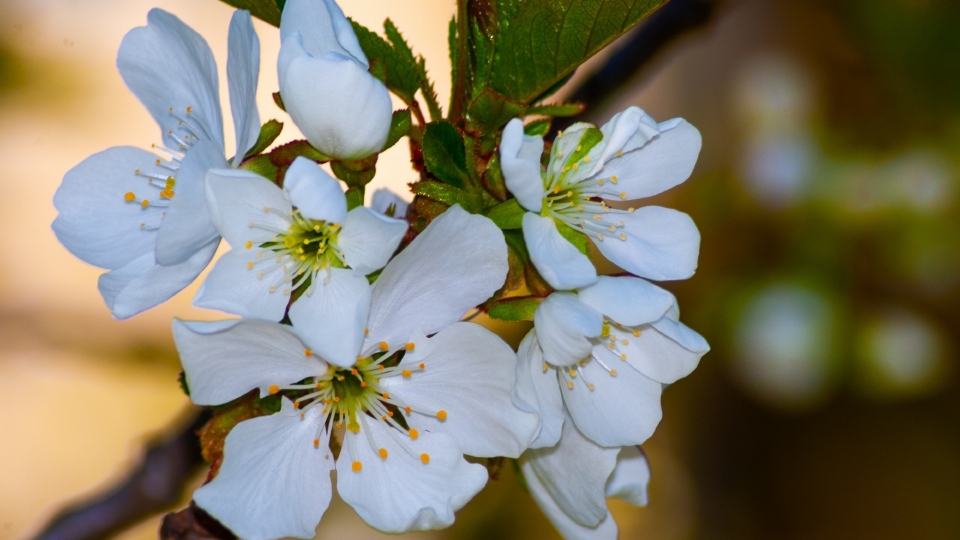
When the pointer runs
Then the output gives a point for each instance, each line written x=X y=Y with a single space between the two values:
x=541 y=42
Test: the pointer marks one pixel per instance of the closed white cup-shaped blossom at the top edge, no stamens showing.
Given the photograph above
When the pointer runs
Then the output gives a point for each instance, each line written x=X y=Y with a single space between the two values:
x=341 y=108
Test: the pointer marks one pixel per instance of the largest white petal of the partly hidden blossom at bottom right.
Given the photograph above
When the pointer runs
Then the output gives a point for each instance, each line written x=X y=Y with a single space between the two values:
x=573 y=475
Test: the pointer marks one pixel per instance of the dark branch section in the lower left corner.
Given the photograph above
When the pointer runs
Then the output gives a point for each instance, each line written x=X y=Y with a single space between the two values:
x=156 y=484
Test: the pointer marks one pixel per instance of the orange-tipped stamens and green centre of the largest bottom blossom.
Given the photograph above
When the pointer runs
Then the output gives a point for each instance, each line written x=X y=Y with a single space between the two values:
x=350 y=398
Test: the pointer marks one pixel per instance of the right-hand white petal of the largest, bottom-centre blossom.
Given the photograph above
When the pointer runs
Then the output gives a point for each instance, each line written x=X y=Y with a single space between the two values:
x=469 y=372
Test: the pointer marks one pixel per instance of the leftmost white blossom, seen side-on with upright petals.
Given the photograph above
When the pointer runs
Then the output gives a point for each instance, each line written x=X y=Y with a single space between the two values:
x=143 y=215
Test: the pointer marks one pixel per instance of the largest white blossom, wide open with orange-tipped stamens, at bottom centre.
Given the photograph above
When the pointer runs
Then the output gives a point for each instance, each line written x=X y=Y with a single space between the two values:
x=406 y=410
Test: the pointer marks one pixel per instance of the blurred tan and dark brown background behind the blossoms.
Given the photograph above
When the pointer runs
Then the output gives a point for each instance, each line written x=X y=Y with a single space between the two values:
x=828 y=285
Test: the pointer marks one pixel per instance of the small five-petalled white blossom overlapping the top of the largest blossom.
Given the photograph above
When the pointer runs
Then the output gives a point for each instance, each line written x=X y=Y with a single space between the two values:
x=299 y=247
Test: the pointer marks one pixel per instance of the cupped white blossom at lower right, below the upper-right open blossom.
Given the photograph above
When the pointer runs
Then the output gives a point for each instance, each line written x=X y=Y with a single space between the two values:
x=603 y=354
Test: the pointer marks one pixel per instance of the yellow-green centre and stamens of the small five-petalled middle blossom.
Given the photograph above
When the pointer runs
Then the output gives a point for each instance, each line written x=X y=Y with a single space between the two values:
x=302 y=251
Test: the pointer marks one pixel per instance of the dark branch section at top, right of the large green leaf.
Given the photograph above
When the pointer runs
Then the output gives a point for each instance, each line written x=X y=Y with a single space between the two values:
x=672 y=20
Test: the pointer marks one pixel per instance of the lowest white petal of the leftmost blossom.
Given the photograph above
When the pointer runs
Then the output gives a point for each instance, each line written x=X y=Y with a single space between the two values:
x=144 y=283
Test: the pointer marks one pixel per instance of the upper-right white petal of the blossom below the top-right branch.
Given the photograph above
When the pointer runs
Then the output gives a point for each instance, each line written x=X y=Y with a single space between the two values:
x=661 y=164
